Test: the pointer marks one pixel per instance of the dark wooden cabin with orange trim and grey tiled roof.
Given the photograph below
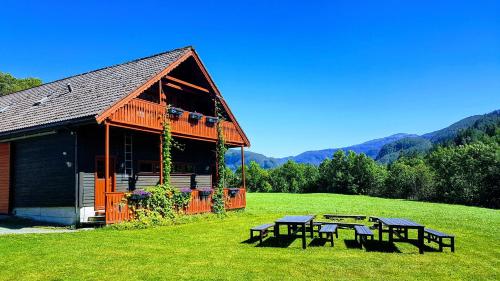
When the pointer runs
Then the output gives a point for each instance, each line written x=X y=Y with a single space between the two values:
x=70 y=149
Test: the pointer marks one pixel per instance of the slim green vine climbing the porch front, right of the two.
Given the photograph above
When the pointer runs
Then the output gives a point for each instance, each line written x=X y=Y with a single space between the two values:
x=218 y=196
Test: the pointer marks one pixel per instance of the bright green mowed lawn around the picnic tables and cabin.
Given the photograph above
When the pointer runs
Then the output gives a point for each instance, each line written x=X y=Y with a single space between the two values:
x=210 y=248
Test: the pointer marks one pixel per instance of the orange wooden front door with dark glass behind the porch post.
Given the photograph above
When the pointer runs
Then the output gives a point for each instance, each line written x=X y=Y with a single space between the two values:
x=100 y=183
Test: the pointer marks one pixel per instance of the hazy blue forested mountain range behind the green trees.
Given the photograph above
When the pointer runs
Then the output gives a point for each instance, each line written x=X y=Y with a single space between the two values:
x=384 y=150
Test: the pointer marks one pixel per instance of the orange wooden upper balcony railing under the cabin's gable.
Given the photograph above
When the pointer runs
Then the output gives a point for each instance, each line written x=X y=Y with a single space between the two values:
x=147 y=115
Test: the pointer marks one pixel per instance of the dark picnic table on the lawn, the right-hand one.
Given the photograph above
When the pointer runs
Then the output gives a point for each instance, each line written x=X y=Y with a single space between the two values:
x=400 y=227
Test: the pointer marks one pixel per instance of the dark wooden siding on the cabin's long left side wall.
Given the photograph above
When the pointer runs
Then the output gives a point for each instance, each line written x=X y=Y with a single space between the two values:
x=43 y=172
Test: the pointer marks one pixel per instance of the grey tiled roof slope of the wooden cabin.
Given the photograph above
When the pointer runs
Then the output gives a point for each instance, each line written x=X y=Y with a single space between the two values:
x=92 y=93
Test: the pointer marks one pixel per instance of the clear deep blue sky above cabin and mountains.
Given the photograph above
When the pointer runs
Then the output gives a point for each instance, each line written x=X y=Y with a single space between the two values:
x=298 y=76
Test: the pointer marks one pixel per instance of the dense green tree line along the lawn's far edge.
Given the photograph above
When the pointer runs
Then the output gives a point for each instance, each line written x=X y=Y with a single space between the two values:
x=464 y=170
